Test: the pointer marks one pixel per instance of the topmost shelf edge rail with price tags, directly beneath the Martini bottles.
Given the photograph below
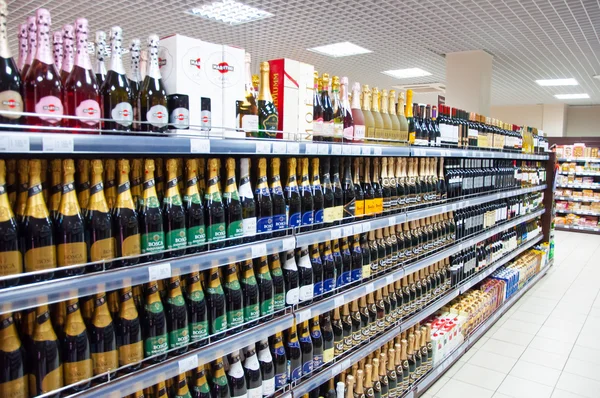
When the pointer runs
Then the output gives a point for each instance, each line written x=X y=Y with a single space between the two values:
x=181 y=143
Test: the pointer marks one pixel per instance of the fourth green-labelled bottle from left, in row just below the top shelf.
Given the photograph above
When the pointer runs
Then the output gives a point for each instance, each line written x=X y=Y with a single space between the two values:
x=215 y=211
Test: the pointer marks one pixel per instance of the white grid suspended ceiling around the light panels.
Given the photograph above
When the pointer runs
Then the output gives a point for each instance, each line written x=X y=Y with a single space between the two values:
x=537 y=39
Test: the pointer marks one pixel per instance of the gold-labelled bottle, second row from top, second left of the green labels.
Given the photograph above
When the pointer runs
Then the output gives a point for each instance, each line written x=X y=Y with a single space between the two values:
x=101 y=243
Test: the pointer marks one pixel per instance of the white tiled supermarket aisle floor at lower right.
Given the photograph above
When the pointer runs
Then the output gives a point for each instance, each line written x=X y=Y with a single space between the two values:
x=548 y=344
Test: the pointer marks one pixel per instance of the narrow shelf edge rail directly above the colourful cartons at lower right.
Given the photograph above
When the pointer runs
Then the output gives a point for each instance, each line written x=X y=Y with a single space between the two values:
x=348 y=359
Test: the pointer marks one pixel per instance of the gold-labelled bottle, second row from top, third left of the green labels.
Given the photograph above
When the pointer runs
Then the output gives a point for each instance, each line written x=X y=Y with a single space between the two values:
x=70 y=225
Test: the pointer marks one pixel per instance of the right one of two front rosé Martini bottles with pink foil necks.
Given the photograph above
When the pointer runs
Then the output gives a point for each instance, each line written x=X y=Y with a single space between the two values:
x=82 y=91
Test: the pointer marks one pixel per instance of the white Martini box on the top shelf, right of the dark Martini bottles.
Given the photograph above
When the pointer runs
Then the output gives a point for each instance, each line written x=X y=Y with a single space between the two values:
x=212 y=75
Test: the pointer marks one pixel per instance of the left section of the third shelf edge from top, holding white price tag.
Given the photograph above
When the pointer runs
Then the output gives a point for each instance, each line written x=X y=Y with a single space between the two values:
x=147 y=377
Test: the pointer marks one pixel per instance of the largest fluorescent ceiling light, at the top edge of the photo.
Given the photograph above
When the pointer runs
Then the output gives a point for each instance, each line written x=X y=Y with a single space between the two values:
x=229 y=12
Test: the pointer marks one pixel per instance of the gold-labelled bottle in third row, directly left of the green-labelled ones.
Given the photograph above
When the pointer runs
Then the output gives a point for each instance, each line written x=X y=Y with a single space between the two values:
x=129 y=332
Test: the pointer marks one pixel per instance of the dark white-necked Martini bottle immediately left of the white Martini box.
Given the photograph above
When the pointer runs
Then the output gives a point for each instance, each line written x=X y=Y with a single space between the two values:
x=153 y=97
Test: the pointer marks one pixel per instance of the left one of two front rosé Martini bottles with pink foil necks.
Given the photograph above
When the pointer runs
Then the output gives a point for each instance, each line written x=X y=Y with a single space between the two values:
x=42 y=86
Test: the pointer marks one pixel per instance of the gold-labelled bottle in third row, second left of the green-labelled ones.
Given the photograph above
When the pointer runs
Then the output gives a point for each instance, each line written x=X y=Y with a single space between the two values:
x=103 y=342
